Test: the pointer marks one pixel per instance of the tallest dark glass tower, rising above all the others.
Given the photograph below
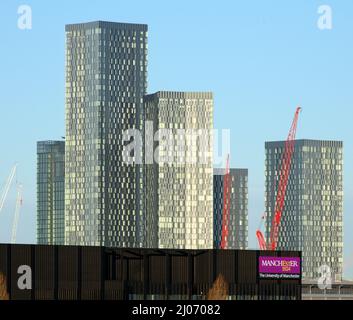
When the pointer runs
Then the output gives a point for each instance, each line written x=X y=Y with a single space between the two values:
x=106 y=72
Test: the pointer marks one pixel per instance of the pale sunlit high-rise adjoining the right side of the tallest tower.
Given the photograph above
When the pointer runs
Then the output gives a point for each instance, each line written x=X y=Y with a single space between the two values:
x=179 y=187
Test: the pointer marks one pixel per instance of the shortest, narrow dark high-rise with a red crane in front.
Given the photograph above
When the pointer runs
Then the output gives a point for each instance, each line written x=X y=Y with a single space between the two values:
x=238 y=211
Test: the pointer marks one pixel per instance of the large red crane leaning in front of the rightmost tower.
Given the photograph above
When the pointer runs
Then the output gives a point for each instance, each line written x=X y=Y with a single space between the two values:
x=282 y=187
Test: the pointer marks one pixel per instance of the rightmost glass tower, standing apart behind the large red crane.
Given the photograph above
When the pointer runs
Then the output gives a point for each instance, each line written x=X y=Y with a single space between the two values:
x=312 y=220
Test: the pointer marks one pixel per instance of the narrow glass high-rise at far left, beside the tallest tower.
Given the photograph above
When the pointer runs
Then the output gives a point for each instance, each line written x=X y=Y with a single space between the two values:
x=50 y=192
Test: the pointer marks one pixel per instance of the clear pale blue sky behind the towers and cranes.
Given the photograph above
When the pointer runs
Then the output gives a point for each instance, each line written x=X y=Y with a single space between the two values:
x=260 y=58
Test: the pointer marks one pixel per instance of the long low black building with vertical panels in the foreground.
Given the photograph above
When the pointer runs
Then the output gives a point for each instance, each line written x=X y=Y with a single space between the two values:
x=74 y=273
